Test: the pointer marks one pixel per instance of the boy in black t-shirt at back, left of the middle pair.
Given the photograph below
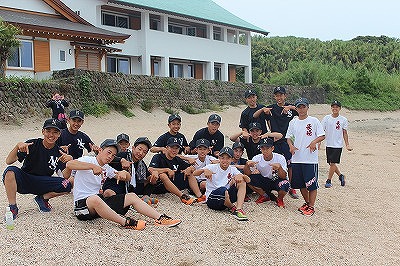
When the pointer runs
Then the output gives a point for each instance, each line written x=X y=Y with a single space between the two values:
x=174 y=124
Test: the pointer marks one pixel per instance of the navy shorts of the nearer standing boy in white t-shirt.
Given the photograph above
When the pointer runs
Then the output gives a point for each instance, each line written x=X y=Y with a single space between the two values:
x=305 y=176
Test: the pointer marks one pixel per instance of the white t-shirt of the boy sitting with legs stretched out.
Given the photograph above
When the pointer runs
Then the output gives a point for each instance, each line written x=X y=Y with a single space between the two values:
x=86 y=183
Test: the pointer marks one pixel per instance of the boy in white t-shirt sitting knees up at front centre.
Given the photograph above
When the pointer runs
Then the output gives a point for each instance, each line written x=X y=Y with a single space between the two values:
x=225 y=185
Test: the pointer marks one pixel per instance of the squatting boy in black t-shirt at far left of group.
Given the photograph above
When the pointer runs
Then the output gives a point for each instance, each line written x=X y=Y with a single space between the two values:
x=41 y=158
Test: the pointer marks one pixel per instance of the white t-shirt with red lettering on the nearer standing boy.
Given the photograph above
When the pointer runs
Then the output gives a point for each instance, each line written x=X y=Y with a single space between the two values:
x=302 y=132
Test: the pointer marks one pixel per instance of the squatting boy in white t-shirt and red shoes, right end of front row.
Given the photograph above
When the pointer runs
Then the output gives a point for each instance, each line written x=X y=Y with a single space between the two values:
x=273 y=171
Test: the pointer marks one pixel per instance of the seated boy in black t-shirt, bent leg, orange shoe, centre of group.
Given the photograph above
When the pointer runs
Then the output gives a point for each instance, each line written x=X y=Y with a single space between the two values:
x=169 y=172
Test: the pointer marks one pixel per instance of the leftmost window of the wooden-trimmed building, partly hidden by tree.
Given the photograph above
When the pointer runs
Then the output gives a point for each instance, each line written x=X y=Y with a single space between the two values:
x=22 y=56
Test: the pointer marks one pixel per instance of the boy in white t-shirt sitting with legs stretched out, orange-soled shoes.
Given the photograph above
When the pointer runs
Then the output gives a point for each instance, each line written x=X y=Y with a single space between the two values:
x=90 y=205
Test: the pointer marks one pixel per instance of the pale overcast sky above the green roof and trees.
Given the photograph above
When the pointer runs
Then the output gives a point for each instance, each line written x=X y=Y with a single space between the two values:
x=322 y=19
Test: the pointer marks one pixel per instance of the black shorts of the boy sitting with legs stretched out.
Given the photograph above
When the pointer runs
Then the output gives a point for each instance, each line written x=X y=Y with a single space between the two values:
x=115 y=202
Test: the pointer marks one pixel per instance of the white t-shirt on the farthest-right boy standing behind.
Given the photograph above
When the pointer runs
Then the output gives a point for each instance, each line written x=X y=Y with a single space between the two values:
x=334 y=127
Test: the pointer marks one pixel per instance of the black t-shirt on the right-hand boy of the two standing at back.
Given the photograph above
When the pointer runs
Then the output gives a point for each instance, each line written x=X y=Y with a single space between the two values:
x=279 y=121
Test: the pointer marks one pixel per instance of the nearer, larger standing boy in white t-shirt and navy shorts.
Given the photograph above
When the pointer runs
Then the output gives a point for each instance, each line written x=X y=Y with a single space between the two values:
x=304 y=132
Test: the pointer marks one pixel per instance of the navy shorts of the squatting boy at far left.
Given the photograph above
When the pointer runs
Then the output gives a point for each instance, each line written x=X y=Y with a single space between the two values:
x=38 y=185
